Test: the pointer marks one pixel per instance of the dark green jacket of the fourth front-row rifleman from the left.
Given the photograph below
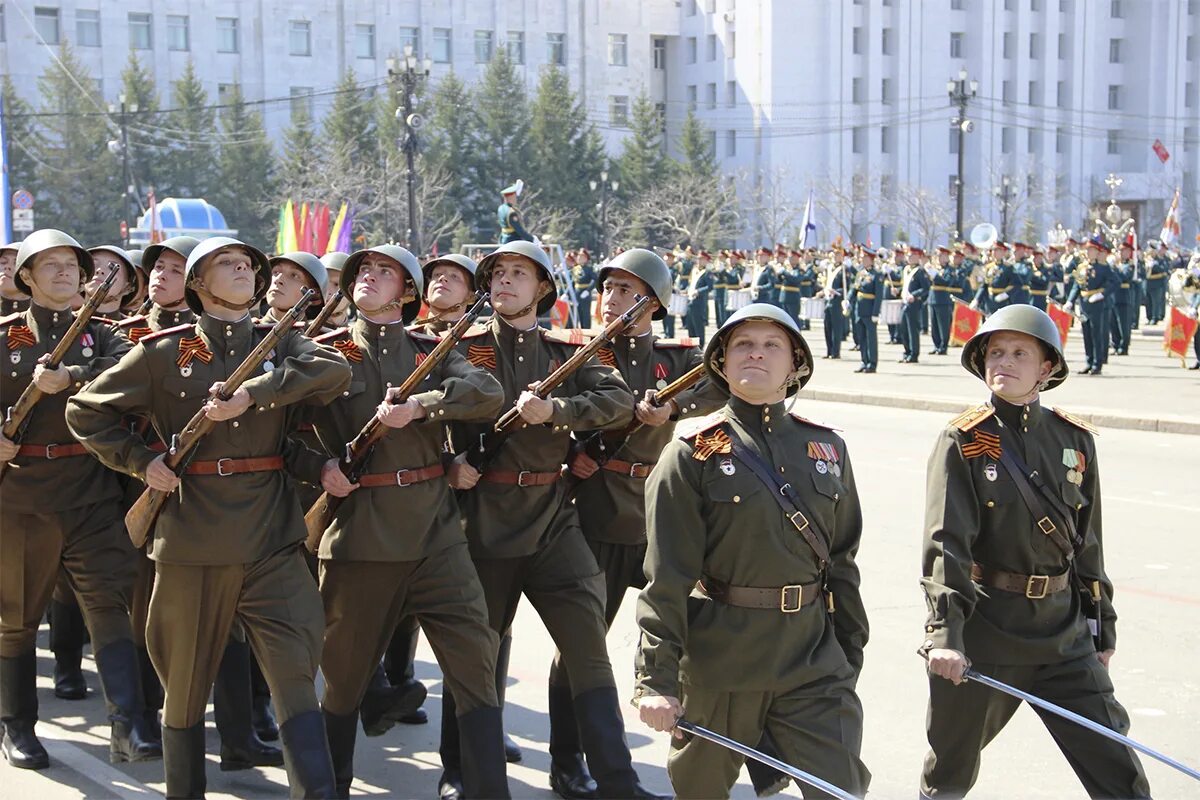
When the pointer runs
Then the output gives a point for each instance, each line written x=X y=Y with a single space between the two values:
x=506 y=521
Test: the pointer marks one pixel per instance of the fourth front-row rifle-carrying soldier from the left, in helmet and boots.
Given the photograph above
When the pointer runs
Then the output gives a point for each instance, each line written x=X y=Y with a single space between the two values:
x=524 y=538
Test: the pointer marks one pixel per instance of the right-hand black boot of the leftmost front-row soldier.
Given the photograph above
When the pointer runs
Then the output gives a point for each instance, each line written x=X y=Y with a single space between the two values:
x=133 y=739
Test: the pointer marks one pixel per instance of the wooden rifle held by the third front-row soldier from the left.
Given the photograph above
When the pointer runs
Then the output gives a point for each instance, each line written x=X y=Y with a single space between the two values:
x=358 y=452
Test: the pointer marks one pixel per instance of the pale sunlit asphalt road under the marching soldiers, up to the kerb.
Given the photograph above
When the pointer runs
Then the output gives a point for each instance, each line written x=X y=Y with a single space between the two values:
x=1151 y=507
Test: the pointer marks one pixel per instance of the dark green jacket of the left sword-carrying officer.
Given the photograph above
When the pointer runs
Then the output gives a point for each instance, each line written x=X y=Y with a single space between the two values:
x=715 y=518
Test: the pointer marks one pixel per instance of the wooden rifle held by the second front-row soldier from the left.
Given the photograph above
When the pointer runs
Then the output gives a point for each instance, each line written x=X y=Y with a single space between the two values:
x=183 y=448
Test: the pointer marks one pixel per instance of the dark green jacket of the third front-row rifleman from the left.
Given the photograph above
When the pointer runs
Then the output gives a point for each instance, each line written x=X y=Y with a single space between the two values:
x=398 y=524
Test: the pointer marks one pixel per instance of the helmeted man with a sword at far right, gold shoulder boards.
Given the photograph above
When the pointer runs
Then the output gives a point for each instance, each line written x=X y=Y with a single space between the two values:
x=1024 y=601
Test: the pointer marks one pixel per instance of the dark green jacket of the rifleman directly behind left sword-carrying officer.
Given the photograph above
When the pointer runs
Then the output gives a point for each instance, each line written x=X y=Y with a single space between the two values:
x=613 y=507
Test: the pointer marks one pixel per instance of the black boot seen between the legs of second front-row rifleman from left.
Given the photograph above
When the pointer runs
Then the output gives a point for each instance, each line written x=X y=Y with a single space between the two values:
x=241 y=747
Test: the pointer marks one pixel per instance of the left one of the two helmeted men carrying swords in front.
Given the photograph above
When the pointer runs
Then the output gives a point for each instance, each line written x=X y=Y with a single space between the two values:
x=754 y=524
